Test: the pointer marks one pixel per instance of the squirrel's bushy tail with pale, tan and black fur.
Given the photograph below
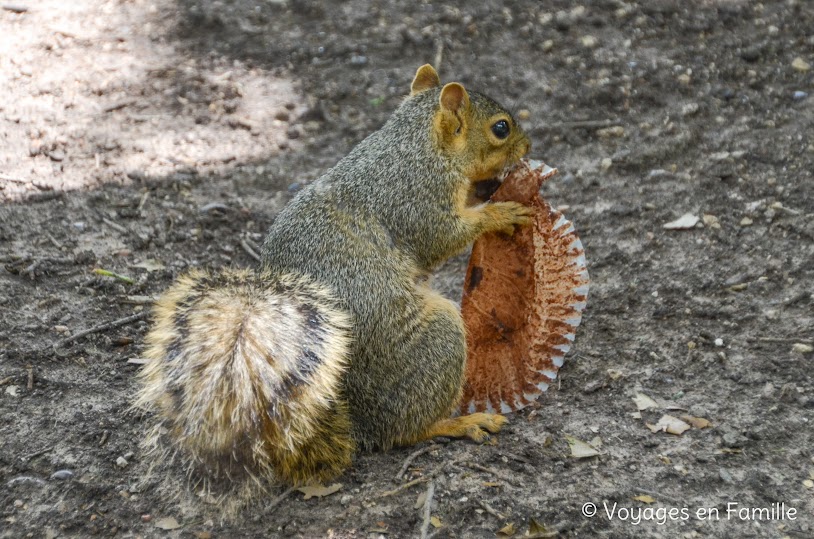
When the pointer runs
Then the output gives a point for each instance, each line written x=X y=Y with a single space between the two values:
x=244 y=375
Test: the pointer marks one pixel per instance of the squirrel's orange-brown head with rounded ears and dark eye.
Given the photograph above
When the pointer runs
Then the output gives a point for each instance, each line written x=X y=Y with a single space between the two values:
x=472 y=129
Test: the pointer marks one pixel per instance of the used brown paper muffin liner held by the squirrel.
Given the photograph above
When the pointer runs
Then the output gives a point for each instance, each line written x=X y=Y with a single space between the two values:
x=523 y=300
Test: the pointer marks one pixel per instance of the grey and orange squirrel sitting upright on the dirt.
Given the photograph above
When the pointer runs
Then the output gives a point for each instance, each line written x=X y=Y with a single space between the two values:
x=337 y=344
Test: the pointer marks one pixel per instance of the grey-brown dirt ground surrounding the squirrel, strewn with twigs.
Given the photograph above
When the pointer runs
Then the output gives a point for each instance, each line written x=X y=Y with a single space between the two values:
x=147 y=138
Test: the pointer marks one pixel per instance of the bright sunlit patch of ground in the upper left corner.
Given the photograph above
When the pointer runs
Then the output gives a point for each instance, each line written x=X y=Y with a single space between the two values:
x=103 y=92
